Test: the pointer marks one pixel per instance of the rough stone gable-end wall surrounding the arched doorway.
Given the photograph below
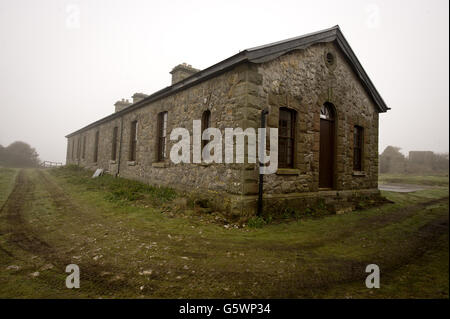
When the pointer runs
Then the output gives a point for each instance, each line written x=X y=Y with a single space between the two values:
x=303 y=81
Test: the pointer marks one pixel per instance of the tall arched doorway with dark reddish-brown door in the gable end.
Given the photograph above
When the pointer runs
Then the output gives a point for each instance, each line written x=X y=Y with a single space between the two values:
x=326 y=155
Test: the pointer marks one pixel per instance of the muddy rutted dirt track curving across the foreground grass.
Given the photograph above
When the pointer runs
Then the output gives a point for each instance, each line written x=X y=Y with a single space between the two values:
x=114 y=276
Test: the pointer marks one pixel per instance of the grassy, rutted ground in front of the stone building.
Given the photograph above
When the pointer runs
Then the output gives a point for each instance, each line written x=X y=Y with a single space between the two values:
x=131 y=240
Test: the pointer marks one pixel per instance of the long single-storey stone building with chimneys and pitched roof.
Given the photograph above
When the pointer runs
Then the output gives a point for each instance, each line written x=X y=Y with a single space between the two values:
x=316 y=93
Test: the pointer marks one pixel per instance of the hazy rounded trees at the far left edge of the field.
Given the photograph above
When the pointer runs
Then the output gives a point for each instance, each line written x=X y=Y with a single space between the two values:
x=19 y=154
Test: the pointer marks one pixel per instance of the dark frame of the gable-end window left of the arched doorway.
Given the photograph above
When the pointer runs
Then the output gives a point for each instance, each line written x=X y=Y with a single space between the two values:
x=289 y=160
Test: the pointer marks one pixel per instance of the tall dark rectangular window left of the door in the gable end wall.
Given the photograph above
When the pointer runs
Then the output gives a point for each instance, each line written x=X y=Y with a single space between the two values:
x=286 y=138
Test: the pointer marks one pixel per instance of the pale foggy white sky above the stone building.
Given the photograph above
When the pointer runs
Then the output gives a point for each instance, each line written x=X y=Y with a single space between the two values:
x=63 y=64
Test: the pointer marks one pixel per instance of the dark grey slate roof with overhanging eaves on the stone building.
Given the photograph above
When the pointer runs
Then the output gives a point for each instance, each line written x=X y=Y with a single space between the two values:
x=261 y=54
